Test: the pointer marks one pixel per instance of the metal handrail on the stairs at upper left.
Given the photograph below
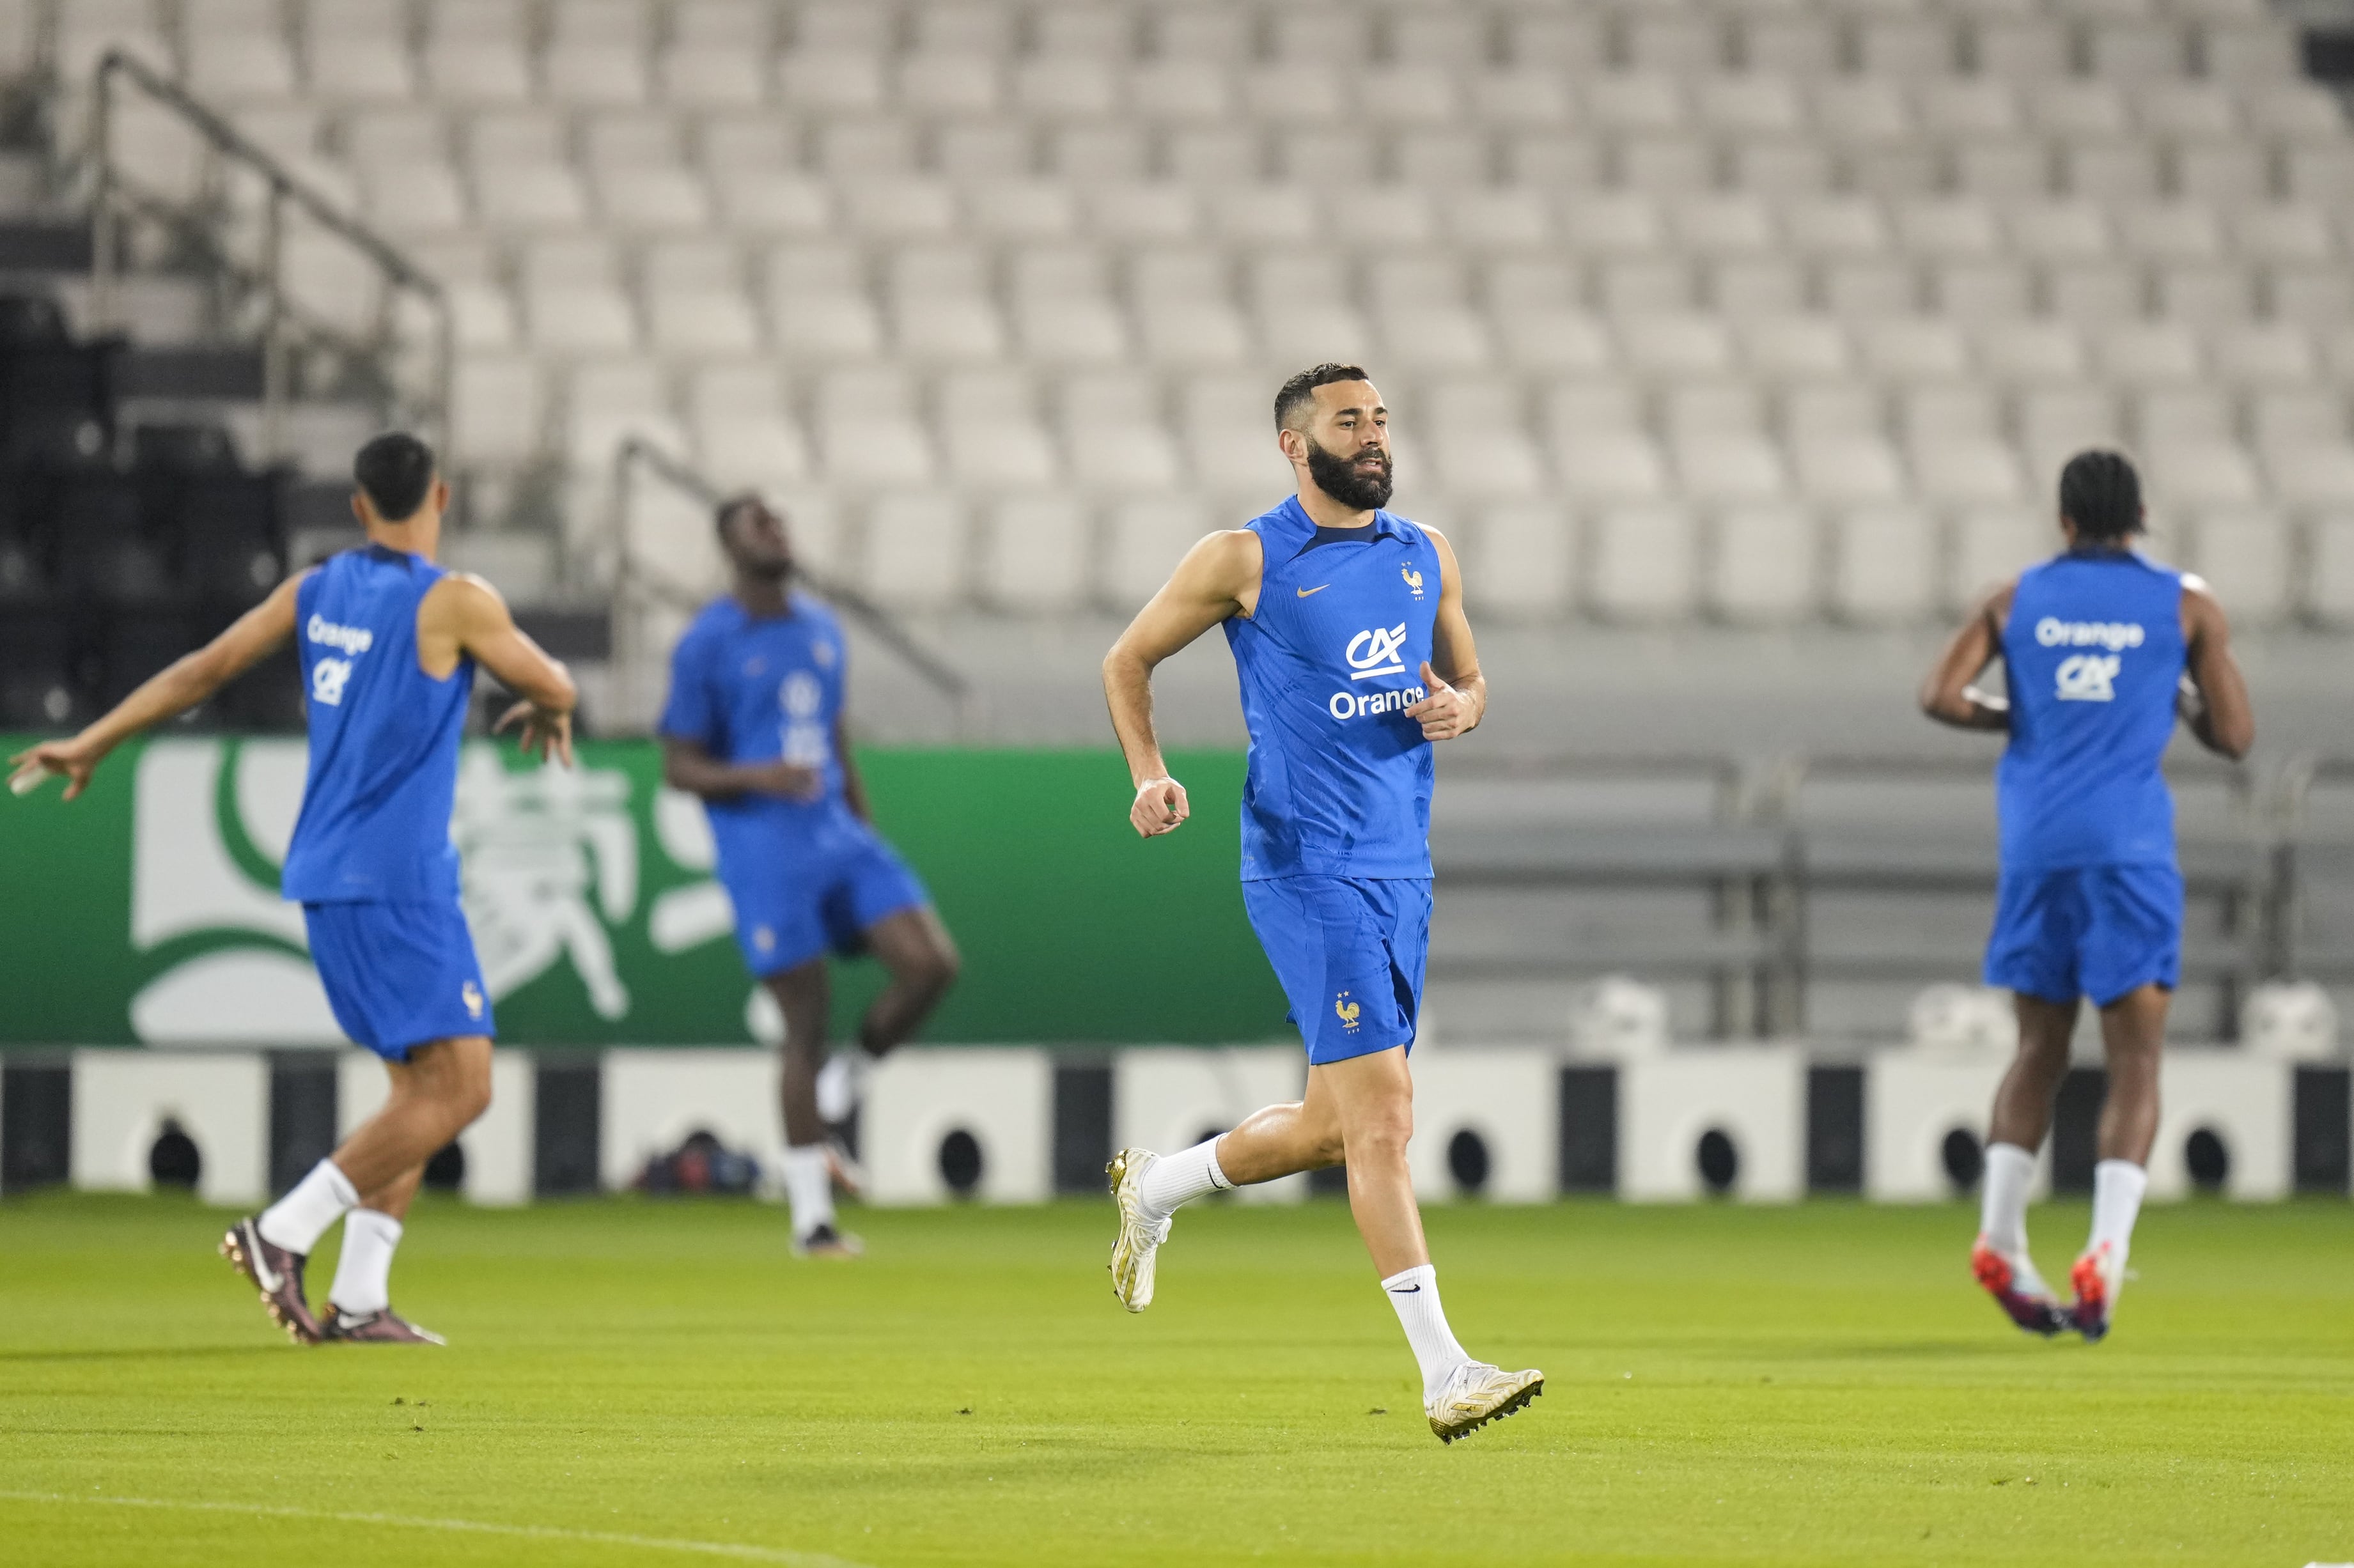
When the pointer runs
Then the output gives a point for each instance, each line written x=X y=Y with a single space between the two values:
x=284 y=190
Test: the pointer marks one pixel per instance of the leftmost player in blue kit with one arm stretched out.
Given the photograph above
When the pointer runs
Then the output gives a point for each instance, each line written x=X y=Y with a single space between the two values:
x=387 y=646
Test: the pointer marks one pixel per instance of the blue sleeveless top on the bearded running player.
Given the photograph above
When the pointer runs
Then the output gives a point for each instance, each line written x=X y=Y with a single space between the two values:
x=1341 y=778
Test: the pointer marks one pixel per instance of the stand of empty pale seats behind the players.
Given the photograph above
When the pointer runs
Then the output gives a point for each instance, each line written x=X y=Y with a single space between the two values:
x=936 y=232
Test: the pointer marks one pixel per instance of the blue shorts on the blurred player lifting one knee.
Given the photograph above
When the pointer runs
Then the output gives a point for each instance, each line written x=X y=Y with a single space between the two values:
x=825 y=898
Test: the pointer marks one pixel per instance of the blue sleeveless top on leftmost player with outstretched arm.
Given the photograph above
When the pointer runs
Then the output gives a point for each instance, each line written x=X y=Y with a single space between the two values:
x=375 y=809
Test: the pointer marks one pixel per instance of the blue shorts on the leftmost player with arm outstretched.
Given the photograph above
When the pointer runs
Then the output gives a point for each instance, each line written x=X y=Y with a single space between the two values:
x=399 y=974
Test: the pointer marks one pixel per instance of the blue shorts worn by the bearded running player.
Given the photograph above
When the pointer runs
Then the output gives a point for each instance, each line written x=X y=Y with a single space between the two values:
x=1350 y=955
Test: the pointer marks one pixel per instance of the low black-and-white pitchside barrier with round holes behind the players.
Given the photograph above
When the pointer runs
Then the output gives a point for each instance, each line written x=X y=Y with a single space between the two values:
x=1503 y=1124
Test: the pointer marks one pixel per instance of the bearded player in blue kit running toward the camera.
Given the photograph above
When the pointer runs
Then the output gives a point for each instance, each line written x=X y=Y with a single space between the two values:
x=1355 y=656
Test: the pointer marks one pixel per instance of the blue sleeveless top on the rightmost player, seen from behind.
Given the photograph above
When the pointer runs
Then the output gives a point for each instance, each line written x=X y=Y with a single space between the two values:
x=2094 y=656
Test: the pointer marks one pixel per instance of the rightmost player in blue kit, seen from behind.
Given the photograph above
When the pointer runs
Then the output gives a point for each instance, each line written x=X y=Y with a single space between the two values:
x=2094 y=649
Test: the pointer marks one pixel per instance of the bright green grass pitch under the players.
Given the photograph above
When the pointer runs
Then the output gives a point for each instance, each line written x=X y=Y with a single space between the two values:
x=658 y=1383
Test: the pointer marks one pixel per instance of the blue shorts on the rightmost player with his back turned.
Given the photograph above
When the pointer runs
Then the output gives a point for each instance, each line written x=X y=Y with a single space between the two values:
x=2089 y=931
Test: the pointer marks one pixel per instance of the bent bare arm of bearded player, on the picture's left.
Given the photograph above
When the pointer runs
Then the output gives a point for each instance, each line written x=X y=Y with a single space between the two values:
x=1218 y=578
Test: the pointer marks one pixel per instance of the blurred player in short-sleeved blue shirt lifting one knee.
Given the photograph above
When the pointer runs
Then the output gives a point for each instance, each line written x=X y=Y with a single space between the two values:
x=754 y=726
